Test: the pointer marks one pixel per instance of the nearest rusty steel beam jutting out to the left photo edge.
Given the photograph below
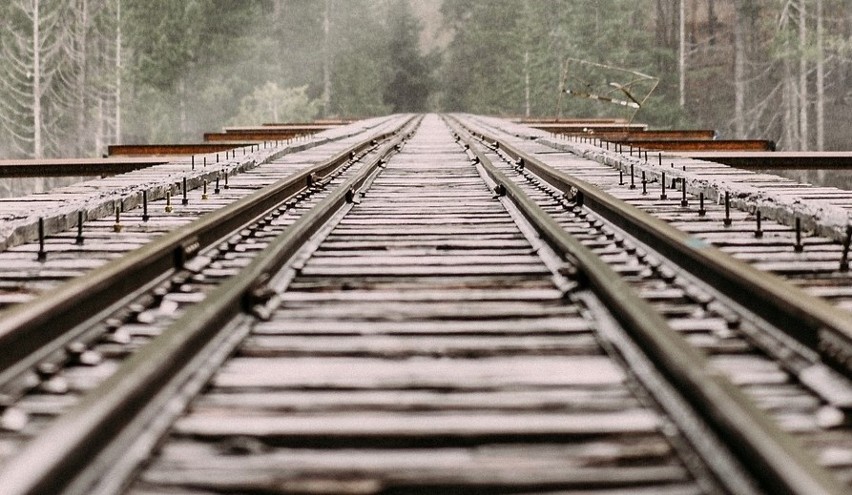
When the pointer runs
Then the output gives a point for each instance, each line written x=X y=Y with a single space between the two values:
x=73 y=167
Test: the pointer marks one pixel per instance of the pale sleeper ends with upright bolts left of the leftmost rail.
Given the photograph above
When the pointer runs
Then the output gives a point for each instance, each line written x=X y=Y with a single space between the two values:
x=94 y=238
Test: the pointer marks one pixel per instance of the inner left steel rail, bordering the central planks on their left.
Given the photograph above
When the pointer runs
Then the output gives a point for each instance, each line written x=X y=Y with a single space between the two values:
x=61 y=454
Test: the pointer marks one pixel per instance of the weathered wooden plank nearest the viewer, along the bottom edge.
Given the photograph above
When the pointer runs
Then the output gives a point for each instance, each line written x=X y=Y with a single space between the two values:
x=436 y=470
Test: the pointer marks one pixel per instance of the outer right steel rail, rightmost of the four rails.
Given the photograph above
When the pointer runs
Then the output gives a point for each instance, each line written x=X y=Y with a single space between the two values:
x=810 y=320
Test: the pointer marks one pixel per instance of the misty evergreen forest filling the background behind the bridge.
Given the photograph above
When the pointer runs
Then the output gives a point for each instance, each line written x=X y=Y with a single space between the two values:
x=76 y=75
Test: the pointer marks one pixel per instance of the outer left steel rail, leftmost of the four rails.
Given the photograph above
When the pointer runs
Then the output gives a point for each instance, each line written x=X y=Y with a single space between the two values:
x=32 y=331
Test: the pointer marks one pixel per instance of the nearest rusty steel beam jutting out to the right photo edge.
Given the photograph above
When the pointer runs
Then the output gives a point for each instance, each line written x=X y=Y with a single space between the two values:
x=778 y=160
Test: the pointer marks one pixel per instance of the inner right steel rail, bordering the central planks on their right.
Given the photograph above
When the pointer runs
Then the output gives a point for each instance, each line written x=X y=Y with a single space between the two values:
x=768 y=453
